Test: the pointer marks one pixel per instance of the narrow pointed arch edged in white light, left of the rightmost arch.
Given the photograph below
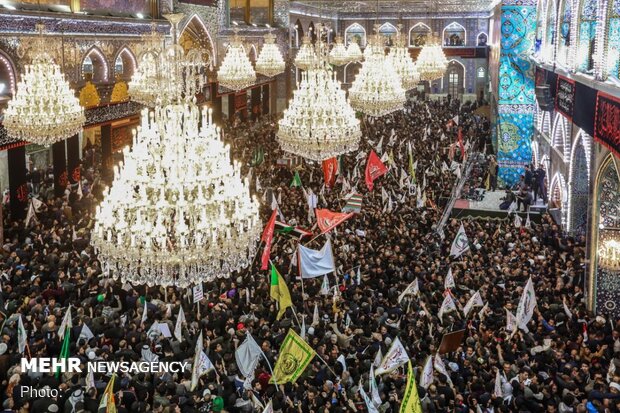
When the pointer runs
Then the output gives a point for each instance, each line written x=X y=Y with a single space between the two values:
x=579 y=184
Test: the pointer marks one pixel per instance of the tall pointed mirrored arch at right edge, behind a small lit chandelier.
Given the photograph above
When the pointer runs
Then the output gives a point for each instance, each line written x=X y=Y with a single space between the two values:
x=603 y=296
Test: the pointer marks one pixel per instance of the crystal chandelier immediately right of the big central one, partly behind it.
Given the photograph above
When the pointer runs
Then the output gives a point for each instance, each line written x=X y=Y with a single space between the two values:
x=377 y=89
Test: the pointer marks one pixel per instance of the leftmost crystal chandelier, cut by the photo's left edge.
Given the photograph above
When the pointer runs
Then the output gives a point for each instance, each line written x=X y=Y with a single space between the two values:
x=44 y=109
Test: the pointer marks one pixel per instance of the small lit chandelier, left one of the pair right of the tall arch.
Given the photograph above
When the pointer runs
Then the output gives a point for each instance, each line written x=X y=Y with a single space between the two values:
x=236 y=71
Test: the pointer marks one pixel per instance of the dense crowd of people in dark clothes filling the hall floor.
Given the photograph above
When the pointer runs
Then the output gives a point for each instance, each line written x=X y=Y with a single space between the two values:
x=564 y=363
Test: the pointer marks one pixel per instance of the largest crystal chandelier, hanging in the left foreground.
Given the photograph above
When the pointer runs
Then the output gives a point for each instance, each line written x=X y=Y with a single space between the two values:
x=178 y=213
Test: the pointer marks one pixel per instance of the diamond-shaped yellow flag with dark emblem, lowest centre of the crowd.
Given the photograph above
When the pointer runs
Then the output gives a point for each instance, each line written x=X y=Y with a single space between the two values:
x=295 y=355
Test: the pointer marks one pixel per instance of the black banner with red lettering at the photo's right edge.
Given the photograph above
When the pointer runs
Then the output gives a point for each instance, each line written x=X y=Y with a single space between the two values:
x=607 y=122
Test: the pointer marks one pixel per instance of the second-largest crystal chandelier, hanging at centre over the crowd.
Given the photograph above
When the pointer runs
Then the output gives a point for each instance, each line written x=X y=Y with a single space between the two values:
x=319 y=123
